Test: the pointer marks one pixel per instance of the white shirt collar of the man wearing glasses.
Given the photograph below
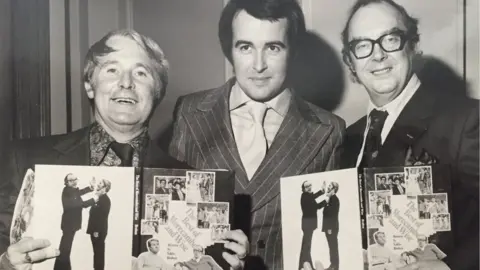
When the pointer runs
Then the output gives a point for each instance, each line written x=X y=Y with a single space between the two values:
x=396 y=106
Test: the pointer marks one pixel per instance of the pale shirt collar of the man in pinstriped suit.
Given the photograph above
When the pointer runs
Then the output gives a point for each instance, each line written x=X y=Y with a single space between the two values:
x=279 y=104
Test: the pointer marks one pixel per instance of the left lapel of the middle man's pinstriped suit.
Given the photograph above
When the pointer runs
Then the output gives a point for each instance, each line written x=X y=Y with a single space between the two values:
x=212 y=132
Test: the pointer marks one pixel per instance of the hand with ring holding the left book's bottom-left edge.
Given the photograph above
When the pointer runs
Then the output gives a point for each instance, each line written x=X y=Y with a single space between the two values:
x=27 y=251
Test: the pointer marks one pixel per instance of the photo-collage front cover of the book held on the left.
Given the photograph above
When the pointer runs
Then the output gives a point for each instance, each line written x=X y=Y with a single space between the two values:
x=197 y=214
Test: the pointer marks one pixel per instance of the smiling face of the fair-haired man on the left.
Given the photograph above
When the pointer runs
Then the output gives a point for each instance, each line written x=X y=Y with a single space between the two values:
x=123 y=86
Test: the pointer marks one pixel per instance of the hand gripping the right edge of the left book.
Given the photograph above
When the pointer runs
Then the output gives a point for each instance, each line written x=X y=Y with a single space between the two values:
x=237 y=242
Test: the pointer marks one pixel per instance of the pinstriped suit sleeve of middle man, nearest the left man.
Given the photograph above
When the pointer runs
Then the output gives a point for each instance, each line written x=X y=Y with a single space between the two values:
x=177 y=144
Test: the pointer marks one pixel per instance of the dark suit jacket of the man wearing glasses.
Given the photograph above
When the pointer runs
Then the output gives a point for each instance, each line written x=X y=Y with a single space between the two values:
x=446 y=126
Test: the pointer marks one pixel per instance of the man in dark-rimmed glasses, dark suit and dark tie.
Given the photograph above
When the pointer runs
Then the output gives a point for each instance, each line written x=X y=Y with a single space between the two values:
x=408 y=119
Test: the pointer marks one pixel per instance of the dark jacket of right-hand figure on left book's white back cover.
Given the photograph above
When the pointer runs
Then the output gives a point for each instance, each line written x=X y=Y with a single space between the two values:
x=98 y=218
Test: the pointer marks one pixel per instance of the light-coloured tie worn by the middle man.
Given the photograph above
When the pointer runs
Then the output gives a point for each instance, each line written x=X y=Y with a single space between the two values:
x=255 y=153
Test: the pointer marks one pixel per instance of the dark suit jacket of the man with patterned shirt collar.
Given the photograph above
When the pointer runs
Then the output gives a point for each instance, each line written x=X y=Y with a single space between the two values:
x=67 y=149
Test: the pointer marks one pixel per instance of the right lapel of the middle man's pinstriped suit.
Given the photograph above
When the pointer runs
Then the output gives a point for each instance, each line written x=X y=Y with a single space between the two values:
x=298 y=141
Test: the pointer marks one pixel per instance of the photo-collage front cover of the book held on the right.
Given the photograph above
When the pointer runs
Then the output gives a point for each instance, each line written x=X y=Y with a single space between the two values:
x=407 y=215
